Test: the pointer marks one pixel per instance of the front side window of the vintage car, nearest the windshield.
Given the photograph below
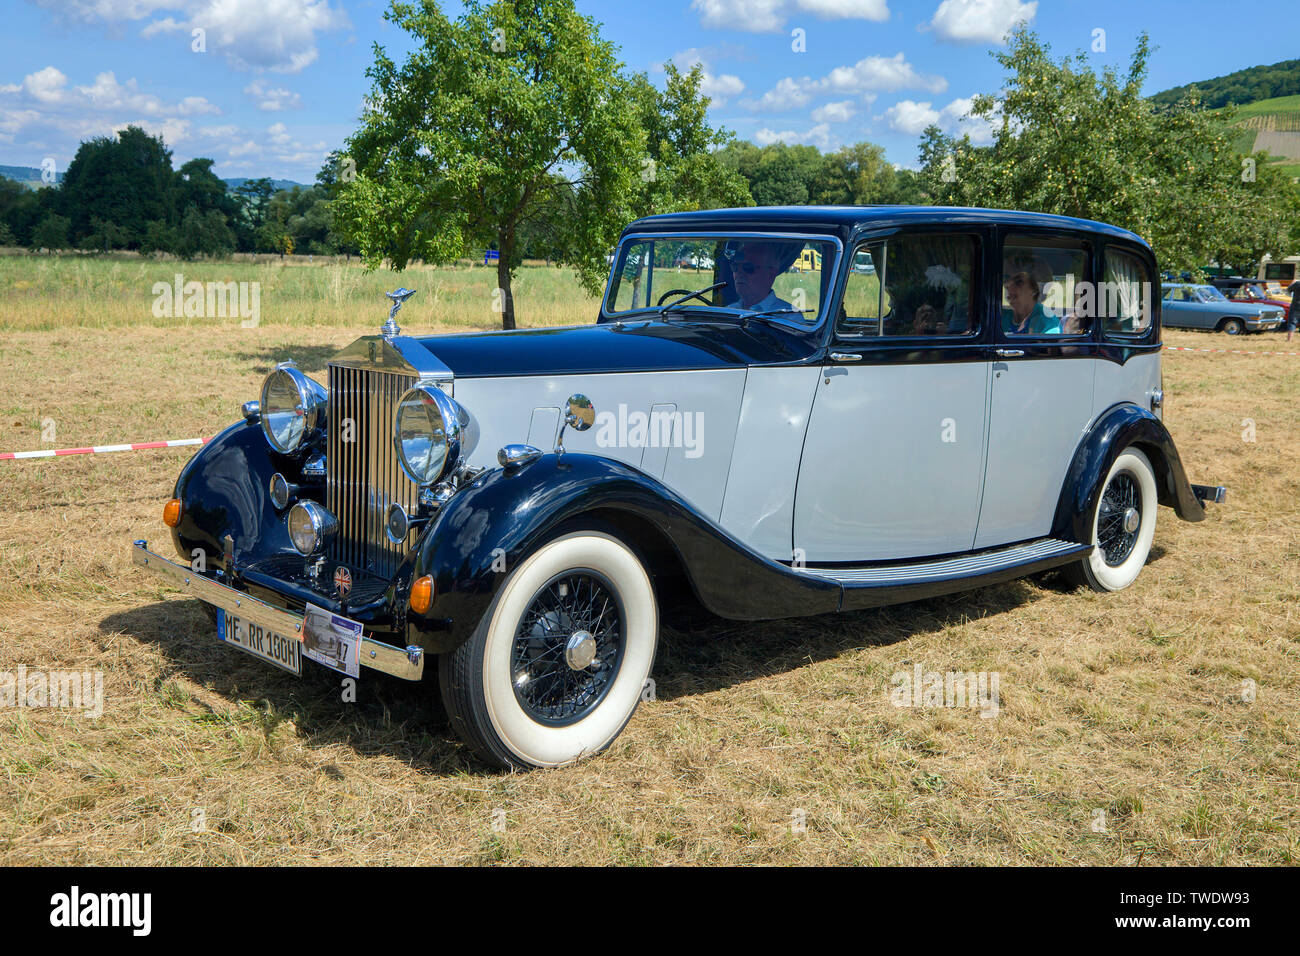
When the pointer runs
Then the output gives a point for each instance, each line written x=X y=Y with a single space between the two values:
x=912 y=285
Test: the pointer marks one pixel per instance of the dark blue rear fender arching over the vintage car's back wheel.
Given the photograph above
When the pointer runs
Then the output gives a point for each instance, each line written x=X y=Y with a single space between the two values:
x=1116 y=430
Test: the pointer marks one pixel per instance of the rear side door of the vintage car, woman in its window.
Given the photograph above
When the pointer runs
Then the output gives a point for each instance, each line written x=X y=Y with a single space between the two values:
x=1042 y=383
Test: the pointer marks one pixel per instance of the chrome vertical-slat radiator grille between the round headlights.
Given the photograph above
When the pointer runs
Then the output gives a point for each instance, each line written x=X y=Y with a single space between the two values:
x=365 y=477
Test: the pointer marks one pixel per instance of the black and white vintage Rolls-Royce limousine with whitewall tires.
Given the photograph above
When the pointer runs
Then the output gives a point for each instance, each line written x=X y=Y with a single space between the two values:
x=982 y=404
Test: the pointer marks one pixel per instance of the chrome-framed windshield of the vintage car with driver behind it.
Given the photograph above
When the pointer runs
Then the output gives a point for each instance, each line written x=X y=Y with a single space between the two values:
x=787 y=279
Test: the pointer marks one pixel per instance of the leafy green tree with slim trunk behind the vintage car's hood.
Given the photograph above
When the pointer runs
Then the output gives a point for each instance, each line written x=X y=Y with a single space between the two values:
x=462 y=145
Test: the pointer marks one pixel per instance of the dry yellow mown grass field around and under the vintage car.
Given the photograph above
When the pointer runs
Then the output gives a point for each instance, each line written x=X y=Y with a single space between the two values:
x=1132 y=704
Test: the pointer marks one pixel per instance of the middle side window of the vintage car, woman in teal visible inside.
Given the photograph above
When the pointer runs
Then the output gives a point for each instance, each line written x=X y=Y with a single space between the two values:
x=1046 y=288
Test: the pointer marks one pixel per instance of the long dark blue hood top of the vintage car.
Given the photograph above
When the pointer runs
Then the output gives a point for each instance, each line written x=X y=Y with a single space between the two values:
x=642 y=347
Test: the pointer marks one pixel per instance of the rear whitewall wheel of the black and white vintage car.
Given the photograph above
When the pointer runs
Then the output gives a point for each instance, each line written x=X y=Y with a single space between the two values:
x=1124 y=526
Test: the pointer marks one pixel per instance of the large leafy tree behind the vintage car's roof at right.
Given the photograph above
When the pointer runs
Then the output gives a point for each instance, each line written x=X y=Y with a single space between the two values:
x=1074 y=142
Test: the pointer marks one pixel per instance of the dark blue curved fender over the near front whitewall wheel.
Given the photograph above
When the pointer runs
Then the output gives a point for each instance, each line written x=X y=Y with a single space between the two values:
x=502 y=517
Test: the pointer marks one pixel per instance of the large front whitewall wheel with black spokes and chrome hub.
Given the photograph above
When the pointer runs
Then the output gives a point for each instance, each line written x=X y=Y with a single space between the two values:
x=560 y=663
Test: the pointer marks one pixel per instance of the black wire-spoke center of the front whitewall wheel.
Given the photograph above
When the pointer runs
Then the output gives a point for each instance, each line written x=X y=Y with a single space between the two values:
x=569 y=647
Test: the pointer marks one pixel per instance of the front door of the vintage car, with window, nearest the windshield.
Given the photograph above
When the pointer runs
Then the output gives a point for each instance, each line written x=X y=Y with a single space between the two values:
x=895 y=448
